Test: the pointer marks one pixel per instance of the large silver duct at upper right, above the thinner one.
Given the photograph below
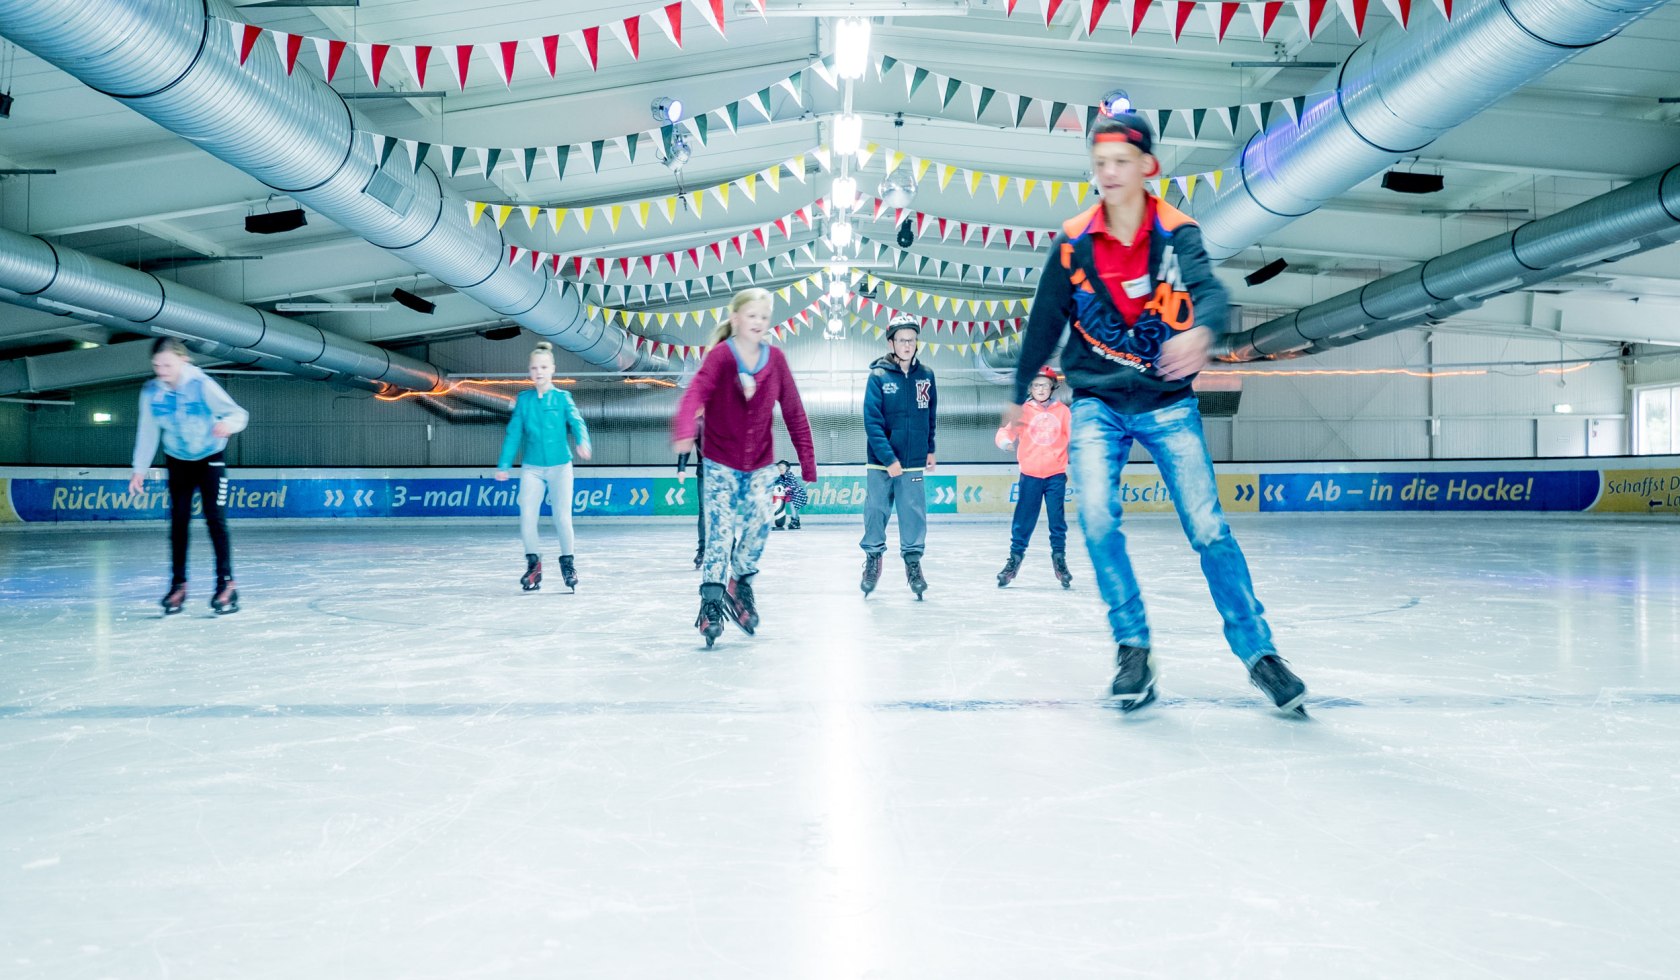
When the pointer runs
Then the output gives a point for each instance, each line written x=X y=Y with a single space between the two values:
x=1394 y=97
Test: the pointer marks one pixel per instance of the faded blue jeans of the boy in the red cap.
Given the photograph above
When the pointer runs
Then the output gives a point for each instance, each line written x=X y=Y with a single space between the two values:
x=1098 y=451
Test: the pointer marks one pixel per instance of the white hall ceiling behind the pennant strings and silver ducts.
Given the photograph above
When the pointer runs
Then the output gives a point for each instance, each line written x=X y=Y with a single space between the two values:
x=135 y=194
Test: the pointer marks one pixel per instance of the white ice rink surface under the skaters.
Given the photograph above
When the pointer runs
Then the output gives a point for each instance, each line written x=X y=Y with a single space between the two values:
x=396 y=764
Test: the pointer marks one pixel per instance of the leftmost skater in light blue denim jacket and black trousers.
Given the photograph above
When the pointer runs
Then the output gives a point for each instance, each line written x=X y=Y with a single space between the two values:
x=192 y=416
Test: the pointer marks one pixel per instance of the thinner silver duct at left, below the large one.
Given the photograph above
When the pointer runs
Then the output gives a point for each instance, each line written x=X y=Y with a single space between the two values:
x=58 y=280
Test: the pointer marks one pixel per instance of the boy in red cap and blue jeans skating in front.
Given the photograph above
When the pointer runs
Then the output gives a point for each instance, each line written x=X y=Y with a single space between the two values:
x=1131 y=280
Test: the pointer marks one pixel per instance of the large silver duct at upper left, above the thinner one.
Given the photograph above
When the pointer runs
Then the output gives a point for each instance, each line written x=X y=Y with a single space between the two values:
x=171 y=63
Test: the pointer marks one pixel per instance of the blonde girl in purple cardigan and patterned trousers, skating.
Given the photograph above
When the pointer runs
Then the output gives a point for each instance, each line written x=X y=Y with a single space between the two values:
x=738 y=387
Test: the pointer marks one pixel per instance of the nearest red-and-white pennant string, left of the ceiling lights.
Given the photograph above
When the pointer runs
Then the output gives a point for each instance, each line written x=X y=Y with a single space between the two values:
x=501 y=55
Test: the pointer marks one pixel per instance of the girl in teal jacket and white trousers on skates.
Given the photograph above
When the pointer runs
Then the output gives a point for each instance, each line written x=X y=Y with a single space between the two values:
x=543 y=421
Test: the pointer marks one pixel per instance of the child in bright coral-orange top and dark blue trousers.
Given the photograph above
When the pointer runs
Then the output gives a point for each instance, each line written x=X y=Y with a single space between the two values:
x=1041 y=441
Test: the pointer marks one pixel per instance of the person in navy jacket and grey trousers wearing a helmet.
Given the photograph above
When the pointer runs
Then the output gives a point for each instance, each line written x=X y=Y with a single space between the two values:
x=901 y=406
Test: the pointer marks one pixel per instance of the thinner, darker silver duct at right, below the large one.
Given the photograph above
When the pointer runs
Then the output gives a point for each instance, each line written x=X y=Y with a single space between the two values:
x=1634 y=219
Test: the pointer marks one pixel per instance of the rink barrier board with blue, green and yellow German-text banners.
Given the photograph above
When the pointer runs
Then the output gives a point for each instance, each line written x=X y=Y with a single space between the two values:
x=1620 y=487
